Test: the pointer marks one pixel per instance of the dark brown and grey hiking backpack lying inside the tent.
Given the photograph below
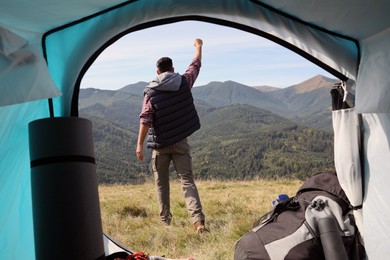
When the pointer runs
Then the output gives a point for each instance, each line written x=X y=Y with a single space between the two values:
x=317 y=223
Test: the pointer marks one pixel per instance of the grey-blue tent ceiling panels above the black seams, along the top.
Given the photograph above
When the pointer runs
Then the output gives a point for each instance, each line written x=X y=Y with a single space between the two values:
x=358 y=19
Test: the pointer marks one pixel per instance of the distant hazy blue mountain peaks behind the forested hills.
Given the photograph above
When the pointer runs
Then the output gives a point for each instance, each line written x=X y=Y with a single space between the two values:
x=307 y=103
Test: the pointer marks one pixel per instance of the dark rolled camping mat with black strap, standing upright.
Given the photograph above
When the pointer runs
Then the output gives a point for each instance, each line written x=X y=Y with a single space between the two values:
x=65 y=200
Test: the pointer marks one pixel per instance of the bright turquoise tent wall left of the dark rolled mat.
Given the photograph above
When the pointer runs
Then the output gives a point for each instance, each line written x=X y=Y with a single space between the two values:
x=16 y=236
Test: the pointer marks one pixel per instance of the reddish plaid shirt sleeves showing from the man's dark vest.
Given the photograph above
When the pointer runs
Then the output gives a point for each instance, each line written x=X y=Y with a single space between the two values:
x=192 y=72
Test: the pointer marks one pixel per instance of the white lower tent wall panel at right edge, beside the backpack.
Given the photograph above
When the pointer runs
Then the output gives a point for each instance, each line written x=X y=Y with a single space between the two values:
x=376 y=207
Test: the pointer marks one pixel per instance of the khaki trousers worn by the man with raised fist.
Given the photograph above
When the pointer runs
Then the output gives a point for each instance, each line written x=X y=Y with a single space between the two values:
x=179 y=154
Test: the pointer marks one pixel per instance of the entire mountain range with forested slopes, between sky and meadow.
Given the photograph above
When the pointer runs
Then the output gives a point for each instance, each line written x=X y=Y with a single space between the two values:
x=246 y=131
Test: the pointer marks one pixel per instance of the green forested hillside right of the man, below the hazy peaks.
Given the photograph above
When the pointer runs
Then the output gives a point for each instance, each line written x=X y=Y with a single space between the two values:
x=245 y=142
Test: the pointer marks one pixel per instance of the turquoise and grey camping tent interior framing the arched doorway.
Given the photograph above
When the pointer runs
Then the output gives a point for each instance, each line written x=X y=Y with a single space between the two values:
x=47 y=46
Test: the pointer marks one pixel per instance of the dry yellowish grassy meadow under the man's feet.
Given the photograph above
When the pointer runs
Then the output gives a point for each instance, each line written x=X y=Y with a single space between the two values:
x=130 y=216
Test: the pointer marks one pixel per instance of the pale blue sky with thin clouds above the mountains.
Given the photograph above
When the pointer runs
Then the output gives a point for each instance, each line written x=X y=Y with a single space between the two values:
x=228 y=54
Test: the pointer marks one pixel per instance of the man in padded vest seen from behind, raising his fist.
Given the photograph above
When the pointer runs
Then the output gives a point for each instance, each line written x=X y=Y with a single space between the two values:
x=168 y=117
